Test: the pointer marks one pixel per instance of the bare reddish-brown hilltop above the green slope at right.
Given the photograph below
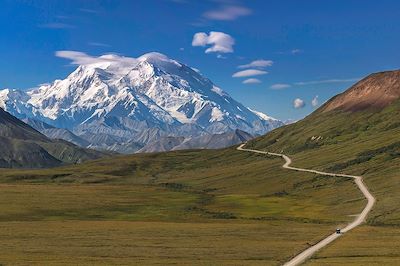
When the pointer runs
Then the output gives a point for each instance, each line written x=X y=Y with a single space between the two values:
x=376 y=91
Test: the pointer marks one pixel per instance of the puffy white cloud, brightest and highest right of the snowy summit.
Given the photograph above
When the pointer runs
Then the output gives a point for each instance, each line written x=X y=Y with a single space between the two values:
x=219 y=41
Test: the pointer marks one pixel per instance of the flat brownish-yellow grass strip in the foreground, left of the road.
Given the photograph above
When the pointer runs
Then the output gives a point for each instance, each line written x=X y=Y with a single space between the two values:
x=149 y=243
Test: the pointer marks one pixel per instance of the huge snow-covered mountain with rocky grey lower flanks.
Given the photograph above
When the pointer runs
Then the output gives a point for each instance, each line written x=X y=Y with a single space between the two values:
x=122 y=99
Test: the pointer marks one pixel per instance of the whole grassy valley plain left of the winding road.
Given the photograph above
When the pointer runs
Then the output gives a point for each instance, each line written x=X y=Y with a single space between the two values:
x=223 y=207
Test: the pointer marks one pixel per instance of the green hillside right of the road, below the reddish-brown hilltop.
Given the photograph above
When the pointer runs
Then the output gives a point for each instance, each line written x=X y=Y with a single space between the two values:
x=364 y=143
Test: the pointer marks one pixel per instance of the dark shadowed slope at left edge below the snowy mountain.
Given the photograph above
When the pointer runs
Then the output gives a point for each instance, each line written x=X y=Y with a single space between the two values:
x=24 y=147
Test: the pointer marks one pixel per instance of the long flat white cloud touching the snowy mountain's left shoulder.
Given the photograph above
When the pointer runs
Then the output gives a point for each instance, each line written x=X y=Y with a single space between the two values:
x=80 y=58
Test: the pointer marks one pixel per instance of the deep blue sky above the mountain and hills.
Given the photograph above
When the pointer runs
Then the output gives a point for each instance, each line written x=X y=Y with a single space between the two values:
x=316 y=47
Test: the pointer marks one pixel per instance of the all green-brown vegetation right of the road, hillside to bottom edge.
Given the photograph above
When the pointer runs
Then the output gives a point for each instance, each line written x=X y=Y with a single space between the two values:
x=363 y=143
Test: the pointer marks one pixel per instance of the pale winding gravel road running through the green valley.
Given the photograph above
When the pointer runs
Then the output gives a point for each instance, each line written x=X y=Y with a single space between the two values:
x=300 y=258
